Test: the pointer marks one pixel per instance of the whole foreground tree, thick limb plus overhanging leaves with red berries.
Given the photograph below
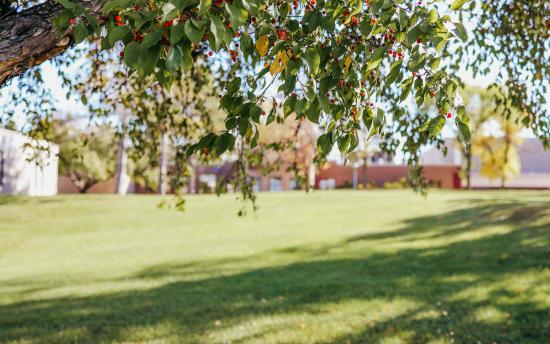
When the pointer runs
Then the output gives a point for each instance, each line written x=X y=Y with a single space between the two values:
x=338 y=62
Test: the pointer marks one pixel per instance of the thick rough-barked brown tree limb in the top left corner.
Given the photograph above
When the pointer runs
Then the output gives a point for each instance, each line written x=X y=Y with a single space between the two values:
x=29 y=37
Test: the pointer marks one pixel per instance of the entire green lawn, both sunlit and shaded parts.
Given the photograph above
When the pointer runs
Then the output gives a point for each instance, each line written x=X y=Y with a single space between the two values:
x=327 y=267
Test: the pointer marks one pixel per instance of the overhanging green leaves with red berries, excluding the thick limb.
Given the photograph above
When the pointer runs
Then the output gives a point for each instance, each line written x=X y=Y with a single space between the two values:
x=331 y=59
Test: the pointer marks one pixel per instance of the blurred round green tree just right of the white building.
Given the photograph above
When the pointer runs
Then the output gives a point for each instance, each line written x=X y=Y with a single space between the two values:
x=87 y=158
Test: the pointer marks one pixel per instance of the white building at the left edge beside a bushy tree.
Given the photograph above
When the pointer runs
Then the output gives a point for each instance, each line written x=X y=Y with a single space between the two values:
x=24 y=170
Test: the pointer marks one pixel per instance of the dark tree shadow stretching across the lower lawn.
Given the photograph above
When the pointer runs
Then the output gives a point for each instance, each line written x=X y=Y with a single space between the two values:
x=451 y=284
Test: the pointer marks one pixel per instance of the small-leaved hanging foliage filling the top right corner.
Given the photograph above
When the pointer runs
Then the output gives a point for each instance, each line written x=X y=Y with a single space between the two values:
x=513 y=35
